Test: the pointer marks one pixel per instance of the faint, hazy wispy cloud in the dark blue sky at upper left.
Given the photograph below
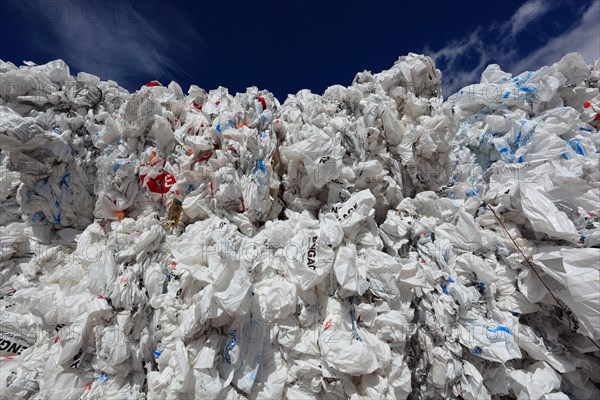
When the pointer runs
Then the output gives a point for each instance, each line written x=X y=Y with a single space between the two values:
x=115 y=41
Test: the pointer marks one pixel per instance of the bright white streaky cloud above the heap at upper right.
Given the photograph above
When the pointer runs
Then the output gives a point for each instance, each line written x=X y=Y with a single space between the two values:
x=485 y=47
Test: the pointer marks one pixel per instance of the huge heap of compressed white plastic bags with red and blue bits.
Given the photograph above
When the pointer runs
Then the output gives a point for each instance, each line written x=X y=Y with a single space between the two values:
x=376 y=241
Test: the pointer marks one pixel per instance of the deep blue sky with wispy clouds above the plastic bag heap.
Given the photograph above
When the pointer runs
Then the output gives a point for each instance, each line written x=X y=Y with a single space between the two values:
x=288 y=45
